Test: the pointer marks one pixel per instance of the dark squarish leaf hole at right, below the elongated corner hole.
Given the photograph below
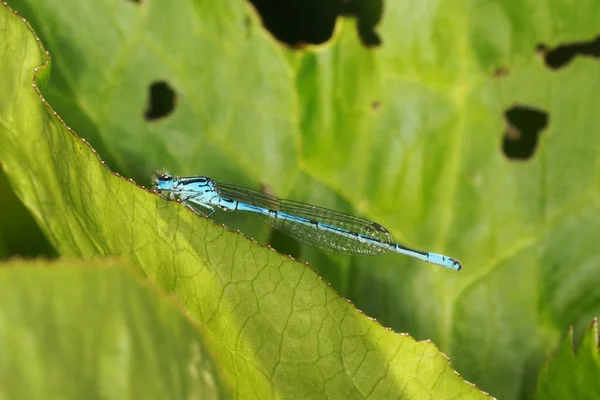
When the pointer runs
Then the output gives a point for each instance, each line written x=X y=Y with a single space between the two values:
x=524 y=125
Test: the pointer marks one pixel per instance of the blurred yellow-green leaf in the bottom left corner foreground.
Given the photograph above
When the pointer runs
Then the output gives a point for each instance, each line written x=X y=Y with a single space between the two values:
x=76 y=330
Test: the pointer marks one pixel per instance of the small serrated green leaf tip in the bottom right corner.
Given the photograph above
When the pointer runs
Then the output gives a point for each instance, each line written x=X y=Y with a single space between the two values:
x=573 y=374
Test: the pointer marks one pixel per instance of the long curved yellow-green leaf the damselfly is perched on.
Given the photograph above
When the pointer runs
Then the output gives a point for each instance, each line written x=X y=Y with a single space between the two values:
x=276 y=329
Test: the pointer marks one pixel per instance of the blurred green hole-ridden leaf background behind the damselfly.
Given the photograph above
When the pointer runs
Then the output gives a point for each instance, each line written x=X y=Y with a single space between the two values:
x=465 y=128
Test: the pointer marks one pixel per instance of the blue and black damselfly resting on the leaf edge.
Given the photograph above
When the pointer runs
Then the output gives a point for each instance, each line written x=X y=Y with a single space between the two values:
x=316 y=226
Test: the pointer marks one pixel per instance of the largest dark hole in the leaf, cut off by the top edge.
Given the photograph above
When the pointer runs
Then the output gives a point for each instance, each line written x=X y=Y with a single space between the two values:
x=297 y=22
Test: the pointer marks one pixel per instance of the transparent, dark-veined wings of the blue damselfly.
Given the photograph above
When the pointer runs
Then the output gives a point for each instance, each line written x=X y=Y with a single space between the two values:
x=309 y=234
